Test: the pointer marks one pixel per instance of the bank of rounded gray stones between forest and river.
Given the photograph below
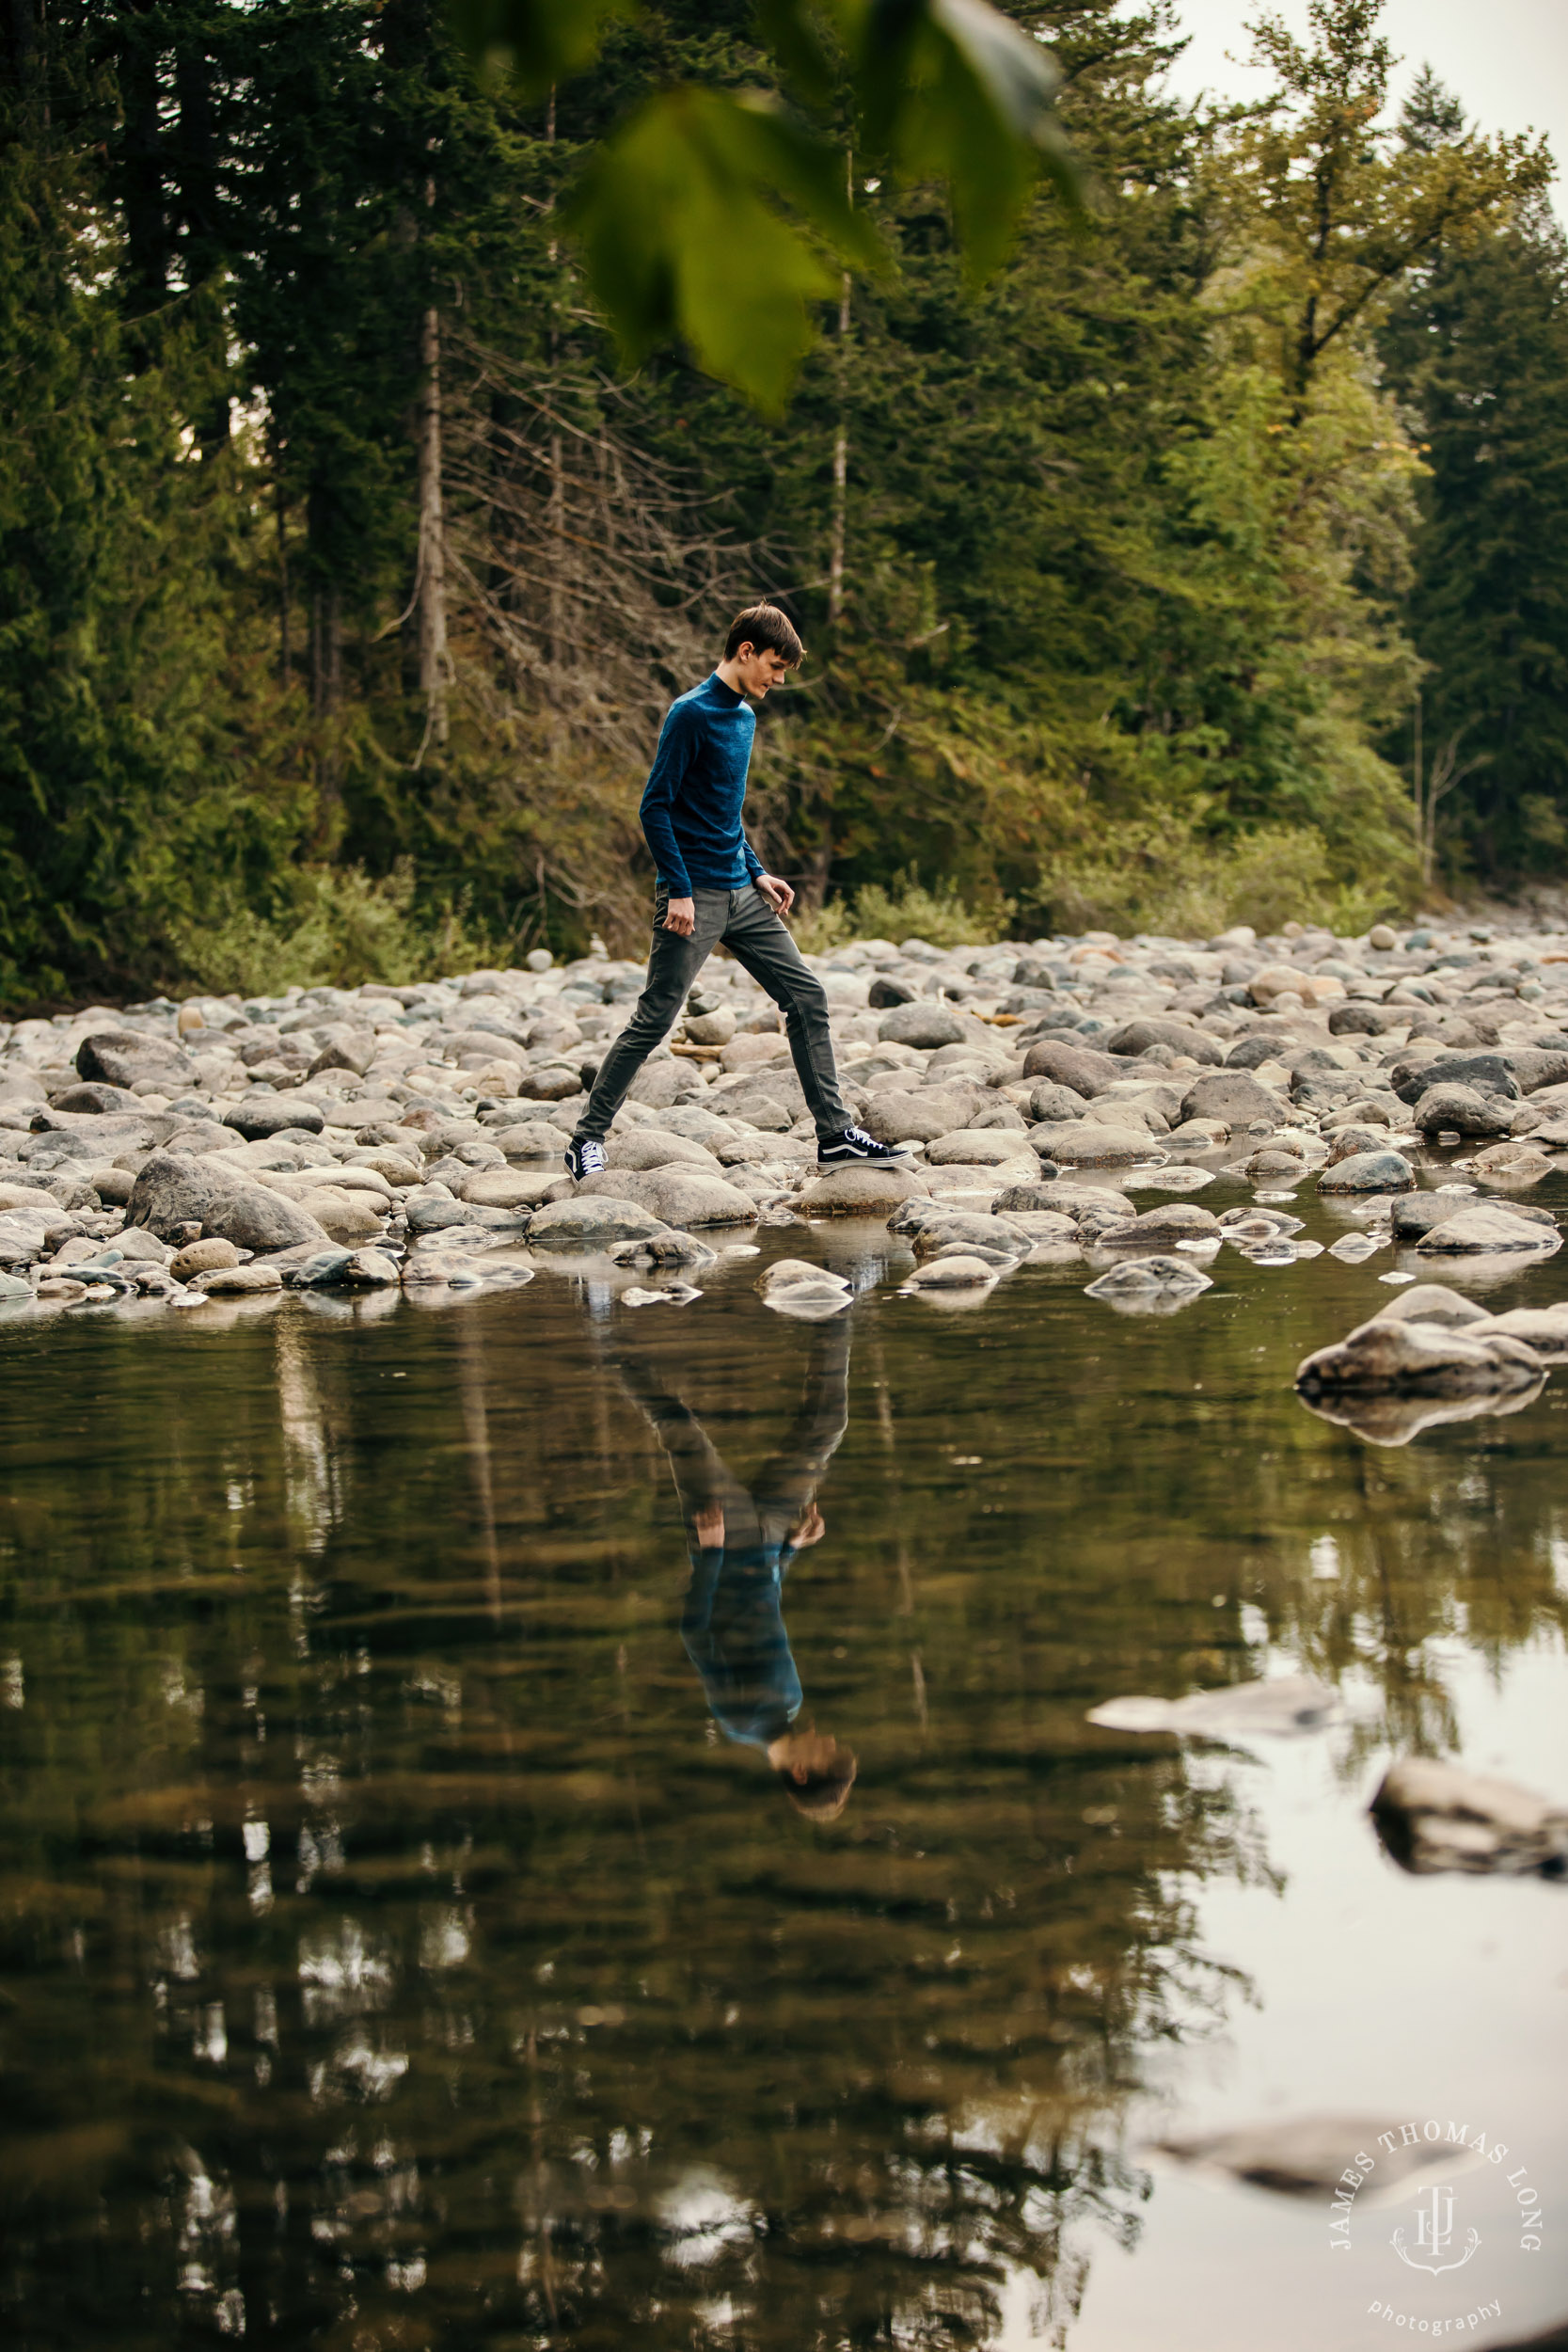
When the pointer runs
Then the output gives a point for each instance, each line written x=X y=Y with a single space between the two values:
x=410 y=1137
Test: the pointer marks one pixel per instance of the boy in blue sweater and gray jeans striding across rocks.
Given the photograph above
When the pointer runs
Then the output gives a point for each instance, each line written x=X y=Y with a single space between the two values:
x=711 y=888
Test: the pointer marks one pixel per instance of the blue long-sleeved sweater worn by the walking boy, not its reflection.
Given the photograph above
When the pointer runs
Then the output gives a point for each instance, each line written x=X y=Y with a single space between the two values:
x=695 y=791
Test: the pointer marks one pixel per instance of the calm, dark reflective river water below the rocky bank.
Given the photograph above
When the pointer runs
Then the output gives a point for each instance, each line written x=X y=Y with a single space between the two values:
x=396 y=1949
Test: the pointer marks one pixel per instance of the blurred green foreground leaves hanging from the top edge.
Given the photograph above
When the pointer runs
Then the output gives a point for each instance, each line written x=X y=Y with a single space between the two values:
x=718 y=218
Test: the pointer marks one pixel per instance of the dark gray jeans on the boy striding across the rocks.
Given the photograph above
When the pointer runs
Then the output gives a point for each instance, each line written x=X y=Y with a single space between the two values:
x=763 y=947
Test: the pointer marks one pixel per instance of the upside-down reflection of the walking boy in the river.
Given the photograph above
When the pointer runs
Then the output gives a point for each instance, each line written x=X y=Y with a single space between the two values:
x=742 y=1546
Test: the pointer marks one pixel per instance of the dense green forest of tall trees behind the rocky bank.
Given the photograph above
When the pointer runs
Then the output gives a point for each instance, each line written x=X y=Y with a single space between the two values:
x=1207 y=561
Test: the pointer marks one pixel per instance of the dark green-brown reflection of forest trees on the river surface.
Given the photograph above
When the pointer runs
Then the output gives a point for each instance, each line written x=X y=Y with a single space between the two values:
x=394 y=1956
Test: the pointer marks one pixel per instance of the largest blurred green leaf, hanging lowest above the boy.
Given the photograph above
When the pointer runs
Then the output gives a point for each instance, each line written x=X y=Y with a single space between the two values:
x=683 y=236
